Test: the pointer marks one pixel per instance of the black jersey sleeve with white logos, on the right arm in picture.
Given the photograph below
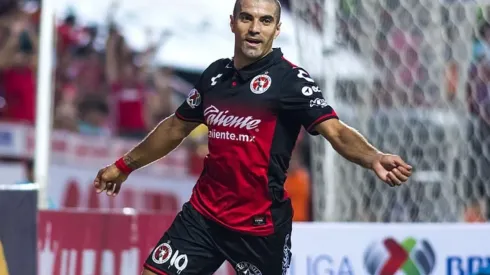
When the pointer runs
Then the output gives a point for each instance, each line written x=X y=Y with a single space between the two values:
x=302 y=99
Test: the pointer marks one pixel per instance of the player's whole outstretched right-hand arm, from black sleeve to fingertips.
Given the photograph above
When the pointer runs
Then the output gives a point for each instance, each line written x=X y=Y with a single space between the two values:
x=302 y=100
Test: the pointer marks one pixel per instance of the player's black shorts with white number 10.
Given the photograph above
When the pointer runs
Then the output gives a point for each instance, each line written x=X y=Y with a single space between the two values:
x=194 y=245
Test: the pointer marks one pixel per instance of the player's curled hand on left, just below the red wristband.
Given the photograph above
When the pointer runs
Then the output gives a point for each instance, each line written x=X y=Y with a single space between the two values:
x=109 y=179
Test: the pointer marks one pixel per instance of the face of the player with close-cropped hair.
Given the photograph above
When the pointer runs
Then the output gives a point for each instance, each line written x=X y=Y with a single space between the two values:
x=255 y=28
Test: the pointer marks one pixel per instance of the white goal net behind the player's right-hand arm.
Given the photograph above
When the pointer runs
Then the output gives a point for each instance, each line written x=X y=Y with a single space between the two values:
x=401 y=72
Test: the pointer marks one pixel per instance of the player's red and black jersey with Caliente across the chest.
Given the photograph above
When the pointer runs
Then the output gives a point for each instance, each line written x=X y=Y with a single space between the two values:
x=254 y=116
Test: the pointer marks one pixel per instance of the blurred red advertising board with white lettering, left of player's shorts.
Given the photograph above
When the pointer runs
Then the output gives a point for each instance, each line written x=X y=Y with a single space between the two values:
x=95 y=243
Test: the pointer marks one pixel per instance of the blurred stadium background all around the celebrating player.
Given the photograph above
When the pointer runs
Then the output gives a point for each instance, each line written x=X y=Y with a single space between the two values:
x=411 y=75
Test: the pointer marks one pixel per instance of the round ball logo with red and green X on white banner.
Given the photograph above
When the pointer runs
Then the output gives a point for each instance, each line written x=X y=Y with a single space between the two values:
x=409 y=257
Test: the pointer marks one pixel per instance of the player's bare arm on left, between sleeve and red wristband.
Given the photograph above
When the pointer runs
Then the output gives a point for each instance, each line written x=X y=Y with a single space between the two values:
x=162 y=140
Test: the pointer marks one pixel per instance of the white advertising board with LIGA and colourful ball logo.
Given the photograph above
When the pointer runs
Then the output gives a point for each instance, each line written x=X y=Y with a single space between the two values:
x=390 y=249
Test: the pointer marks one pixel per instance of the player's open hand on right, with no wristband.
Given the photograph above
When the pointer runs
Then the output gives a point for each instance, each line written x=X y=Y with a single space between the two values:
x=391 y=169
